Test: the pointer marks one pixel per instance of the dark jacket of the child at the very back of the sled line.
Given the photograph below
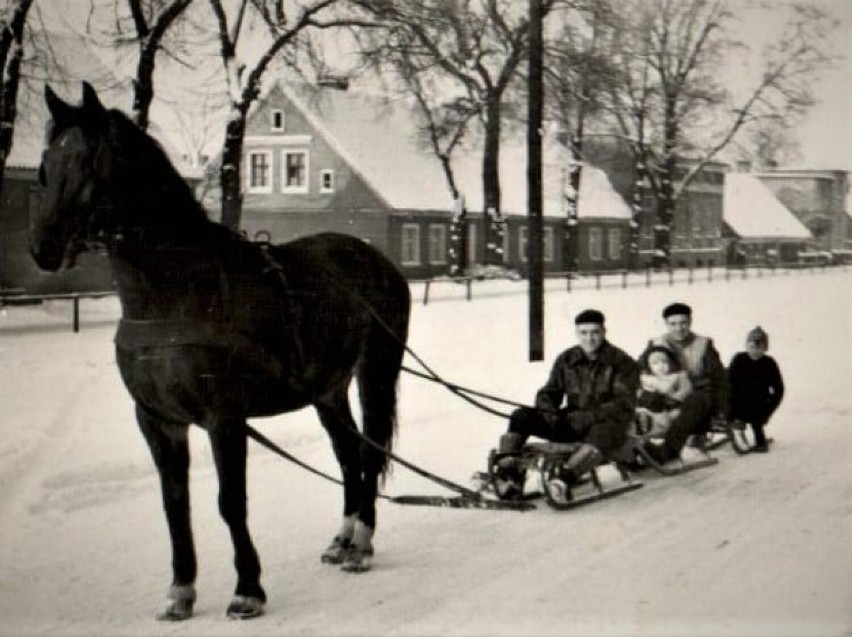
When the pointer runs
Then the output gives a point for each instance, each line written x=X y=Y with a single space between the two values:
x=756 y=388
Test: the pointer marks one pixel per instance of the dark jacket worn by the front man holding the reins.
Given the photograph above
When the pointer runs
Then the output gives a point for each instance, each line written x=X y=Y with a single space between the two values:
x=603 y=389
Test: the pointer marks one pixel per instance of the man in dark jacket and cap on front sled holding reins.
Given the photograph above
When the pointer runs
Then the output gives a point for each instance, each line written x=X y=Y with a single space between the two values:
x=597 y=382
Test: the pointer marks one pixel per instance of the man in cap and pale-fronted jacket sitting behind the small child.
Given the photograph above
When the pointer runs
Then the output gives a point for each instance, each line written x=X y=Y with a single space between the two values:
x=698 y=357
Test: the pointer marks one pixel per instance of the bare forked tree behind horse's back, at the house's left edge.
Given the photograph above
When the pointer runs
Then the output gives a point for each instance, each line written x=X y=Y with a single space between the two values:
x=286 y=30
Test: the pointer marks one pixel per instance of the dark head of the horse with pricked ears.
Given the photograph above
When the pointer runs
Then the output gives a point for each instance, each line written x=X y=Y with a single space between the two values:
x=70 y=172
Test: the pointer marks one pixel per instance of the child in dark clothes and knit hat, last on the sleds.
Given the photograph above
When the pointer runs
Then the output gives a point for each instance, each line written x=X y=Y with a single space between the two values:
x=756 y=386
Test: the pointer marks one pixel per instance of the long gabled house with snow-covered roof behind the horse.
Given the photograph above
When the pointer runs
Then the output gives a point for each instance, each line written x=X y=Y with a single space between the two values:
x=335 y=159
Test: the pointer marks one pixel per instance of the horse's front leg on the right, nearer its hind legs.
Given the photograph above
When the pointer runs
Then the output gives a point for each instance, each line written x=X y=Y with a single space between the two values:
x=228 y=441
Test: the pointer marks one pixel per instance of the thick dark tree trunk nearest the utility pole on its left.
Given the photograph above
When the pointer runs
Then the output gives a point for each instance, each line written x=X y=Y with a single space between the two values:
x=491 y=184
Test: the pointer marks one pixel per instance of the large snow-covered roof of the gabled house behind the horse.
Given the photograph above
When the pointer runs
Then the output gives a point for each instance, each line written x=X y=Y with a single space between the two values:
x=378 y=137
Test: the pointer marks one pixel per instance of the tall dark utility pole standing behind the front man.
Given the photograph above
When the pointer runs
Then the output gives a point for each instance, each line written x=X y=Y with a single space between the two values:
x=534 y=186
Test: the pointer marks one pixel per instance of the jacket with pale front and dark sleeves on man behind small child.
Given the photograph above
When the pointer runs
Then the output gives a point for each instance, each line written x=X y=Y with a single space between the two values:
x=699 y=359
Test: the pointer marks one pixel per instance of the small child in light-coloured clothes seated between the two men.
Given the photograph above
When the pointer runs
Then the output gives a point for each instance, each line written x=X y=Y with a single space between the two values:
x=662 y=388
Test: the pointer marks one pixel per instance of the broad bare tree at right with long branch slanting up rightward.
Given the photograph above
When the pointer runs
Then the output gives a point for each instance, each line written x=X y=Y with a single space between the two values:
x=674 y=90
